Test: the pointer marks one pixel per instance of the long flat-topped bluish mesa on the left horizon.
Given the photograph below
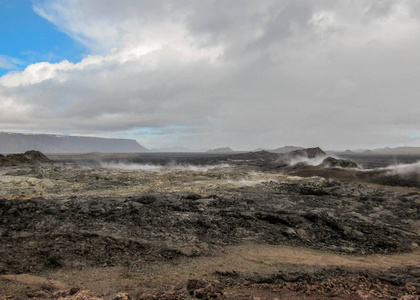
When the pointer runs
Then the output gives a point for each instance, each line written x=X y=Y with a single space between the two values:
x=47 y=143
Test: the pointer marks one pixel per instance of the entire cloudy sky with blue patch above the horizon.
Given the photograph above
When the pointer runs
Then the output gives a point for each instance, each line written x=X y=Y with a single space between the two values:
x=338 y=74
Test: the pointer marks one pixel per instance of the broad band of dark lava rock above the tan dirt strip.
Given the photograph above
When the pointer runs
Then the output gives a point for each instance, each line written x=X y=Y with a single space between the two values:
x=112 y=230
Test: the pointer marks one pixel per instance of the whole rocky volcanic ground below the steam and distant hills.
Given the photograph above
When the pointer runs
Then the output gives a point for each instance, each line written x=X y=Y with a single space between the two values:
x=228 y=231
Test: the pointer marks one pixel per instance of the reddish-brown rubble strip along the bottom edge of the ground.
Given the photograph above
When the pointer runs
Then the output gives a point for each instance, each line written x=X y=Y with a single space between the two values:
x=347 y=287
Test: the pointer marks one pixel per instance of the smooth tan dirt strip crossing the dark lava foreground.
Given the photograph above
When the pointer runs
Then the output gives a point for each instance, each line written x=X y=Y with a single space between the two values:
x=246 y=260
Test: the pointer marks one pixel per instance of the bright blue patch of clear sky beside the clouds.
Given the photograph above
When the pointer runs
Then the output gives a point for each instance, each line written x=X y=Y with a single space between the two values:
x=27 y=38
